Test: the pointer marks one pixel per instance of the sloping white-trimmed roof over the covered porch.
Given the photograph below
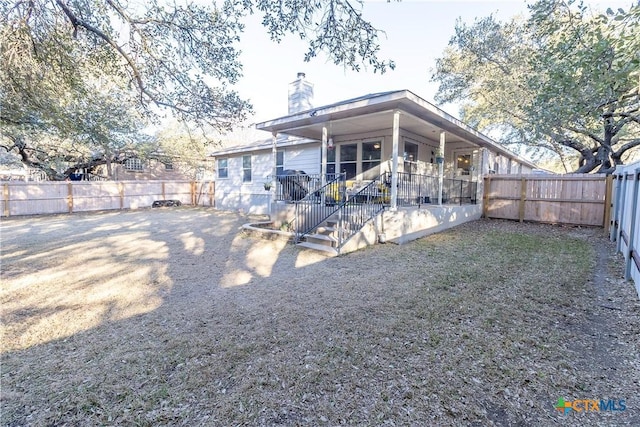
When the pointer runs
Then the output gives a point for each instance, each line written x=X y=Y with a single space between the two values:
x=375 y=112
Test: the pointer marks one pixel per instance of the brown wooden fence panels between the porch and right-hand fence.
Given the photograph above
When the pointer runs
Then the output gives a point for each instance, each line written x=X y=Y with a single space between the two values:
x=576 y=199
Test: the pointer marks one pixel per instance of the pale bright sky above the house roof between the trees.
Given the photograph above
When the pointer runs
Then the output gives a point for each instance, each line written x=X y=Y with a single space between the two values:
x=417 y=32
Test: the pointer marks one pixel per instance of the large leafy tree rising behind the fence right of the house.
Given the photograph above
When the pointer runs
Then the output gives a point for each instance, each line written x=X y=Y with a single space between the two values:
x=564 y=80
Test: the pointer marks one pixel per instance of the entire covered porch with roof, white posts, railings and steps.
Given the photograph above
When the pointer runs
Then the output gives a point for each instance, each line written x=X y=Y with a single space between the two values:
x=393 y=167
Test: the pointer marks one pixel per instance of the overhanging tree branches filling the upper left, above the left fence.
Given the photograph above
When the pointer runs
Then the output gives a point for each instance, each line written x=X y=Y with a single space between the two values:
x=158 y=57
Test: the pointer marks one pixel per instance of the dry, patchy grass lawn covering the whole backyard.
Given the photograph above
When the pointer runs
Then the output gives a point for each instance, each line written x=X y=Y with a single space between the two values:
x=172 y=317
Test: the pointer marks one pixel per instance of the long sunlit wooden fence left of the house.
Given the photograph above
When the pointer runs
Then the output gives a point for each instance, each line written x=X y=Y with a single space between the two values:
x=52 y=197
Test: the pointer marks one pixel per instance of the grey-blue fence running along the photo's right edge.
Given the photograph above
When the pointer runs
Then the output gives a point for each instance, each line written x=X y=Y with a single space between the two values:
x=625 y=219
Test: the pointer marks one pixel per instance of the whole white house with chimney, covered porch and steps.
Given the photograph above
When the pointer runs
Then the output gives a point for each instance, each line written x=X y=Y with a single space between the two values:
x=419 y=168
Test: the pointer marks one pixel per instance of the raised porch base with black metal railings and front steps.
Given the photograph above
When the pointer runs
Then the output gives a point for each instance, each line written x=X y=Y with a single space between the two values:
x=361 y=215
